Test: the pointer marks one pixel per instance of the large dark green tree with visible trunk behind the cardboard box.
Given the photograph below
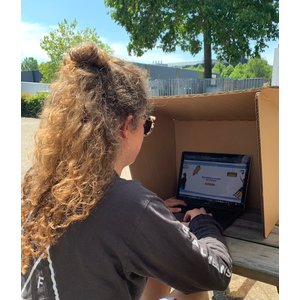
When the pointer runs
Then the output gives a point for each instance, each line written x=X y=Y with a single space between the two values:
x=227 y=26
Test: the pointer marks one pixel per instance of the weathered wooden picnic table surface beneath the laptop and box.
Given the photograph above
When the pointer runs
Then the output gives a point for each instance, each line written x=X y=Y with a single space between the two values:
x=254 y=256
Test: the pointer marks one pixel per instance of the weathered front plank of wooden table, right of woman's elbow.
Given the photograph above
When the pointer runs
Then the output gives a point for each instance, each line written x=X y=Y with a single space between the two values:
x=254 y=260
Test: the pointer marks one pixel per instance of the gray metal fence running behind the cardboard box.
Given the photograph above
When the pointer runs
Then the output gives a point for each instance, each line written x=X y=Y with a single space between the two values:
x=170 y=87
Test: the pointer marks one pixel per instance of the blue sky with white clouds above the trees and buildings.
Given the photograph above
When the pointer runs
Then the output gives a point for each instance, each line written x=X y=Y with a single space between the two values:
x=38 y=17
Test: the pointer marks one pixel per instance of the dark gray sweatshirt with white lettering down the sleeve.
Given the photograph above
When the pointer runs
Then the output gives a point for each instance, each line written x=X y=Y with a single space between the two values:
x=130 y=235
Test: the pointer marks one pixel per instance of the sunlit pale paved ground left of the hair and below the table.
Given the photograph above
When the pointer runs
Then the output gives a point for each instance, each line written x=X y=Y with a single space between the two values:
x=239 y=288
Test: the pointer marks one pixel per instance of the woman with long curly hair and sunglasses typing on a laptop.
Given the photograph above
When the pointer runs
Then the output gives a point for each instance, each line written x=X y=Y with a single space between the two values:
x=87 y=233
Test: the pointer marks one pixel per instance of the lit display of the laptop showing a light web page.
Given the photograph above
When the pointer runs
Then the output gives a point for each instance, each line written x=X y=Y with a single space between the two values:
x=221 y=181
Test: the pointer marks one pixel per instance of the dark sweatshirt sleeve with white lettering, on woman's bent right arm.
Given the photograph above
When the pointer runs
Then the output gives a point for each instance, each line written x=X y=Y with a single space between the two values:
x=189 y=259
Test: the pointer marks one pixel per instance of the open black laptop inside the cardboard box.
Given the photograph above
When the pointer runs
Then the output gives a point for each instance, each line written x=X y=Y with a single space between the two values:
x=218 y=182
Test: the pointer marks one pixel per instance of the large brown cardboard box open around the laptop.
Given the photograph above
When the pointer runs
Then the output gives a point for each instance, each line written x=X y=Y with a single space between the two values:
x=243 y=122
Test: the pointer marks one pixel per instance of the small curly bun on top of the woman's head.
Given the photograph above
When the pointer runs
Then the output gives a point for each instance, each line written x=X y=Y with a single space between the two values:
x=88 y=54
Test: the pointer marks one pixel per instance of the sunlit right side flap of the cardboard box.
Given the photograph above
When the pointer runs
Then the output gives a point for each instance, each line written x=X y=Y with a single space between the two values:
x=267 y=109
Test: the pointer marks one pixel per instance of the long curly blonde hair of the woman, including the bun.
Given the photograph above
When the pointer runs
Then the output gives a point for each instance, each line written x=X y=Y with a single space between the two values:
x=76 y=143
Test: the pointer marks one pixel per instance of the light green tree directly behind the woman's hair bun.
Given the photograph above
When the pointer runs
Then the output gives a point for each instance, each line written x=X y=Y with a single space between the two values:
x=60 y=40
